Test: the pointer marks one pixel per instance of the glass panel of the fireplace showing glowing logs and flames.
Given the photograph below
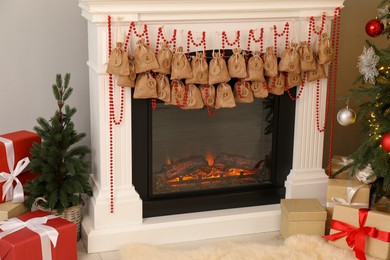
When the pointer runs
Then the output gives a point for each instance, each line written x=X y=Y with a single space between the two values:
x=195 y=152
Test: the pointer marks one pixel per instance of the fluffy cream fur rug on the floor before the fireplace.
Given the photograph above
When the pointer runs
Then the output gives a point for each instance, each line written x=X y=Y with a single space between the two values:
x=299 y=247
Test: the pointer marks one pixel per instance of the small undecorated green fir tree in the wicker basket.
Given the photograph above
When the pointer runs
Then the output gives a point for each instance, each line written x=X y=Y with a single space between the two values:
x=61 y=165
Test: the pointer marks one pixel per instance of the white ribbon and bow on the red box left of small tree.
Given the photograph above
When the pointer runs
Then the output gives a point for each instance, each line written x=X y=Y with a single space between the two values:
x=9 y=192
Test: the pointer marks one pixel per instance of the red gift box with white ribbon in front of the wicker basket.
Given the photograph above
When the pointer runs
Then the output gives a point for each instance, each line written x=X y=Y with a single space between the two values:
x=26 y=244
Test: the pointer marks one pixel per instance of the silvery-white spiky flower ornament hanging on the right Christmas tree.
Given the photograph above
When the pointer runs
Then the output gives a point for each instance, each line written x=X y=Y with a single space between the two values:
x=367 y=65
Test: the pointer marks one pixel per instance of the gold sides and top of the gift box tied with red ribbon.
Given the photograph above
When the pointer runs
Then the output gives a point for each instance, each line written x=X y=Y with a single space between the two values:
x=380 y=220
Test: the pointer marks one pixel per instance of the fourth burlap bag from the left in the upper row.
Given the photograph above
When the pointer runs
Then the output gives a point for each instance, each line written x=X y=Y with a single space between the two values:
x=181 y=67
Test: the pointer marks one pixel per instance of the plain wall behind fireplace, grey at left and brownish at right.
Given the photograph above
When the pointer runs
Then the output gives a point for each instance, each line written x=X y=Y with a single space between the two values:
x=43 y=37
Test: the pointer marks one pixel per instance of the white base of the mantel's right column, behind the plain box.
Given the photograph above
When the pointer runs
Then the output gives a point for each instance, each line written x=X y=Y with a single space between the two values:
x=307 y=183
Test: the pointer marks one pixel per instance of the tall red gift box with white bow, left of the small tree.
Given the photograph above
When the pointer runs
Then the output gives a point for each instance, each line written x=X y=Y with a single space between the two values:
x=14 y=152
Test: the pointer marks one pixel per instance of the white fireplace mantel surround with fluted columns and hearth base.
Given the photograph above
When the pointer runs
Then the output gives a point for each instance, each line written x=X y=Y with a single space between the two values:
x=104 y=231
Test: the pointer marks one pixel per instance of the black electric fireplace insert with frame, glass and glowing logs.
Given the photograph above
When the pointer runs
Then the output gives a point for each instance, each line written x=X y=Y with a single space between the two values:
x=190 y=162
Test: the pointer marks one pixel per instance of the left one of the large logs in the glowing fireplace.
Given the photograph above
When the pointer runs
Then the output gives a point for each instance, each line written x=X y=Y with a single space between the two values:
x=184 y=166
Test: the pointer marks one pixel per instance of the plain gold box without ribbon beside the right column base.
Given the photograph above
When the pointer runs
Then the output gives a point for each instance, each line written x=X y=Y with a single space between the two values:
x=302 y=216
